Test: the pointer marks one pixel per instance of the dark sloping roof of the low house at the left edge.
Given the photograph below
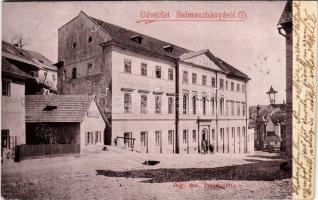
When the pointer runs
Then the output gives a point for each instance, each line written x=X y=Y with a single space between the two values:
x=9 y=68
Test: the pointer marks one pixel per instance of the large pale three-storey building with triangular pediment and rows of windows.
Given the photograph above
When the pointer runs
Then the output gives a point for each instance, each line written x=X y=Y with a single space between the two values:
x=156 y=97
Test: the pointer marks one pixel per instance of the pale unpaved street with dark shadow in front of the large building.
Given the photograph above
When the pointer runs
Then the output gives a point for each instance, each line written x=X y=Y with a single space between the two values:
x=120 y=174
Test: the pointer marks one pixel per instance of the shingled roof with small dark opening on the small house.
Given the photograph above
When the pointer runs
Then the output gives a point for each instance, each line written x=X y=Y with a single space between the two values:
x=57 y=108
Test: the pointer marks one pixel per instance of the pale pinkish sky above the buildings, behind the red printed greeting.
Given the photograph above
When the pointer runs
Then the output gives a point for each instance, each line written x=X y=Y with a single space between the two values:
x=252 y=46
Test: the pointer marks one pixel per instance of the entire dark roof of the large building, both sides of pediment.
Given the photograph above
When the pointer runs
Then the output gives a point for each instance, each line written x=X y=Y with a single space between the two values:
x=155 y=46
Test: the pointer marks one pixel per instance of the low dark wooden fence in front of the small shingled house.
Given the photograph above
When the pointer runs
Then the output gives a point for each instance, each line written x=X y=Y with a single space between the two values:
x=30 y=151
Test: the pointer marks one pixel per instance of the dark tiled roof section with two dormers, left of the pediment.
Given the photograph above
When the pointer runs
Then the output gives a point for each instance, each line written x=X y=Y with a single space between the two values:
x=150 y=44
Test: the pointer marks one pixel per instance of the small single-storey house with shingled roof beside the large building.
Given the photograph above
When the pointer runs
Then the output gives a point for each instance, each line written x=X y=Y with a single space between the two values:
x=69 y=120
